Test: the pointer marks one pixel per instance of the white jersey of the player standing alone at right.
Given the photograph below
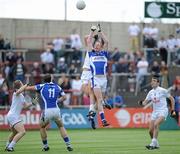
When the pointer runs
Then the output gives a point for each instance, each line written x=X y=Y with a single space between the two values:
x=158 y=97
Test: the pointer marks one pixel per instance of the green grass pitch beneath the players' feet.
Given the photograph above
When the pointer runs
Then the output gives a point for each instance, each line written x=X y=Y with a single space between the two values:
x=99 y=141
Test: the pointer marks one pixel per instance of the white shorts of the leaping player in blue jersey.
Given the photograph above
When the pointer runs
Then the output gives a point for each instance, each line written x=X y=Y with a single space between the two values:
x=99 y=82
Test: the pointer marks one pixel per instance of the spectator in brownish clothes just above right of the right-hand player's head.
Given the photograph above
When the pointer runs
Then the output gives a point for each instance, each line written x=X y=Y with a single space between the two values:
x=164 y=75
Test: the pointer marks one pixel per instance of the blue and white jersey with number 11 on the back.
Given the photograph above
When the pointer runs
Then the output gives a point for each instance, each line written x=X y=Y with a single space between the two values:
x=50 y=92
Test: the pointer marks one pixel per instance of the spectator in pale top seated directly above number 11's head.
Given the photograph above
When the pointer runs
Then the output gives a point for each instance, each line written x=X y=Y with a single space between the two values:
x=47 y=58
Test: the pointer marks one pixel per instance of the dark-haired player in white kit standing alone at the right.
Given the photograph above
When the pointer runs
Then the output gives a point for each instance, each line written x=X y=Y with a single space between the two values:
x=158 y=97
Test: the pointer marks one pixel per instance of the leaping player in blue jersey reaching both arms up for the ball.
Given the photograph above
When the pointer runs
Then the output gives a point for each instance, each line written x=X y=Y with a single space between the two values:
x=96 y=62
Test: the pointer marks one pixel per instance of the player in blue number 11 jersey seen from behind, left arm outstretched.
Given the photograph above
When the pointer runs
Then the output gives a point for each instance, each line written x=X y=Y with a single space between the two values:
x=51 y=94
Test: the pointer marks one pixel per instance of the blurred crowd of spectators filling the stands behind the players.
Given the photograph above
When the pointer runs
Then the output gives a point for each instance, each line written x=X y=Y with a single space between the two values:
x=64 y=57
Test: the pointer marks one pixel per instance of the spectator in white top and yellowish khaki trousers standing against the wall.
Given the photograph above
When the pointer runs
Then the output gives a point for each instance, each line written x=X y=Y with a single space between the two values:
x=134 y=31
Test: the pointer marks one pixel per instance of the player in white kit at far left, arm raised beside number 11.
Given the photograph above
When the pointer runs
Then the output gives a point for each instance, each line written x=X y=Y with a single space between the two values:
x=13 y=116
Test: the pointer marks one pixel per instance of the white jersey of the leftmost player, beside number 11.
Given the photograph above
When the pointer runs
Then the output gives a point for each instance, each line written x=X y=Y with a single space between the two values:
x=17 y=104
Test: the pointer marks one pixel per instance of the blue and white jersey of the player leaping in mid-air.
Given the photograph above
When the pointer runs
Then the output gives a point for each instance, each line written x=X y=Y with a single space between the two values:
x=97 y=61
